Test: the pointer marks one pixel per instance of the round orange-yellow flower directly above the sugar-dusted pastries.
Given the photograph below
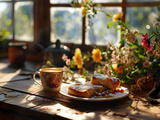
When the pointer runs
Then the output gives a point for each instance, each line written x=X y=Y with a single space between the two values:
x=96 y=55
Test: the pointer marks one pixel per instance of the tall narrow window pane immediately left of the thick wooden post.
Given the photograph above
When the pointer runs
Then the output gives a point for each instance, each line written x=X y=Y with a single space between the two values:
x=24 y=21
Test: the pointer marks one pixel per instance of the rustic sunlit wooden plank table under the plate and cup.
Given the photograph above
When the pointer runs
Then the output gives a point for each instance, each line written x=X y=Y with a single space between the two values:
x=21 y=99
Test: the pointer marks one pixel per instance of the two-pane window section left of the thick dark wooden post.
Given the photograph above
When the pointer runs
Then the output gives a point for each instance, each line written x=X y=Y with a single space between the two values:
x=17 y=18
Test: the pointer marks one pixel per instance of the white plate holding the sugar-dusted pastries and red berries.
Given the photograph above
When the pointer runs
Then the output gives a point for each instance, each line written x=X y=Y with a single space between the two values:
x=64 y=91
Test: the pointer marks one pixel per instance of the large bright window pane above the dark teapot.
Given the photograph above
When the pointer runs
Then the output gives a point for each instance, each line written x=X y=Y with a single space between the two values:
x=66 y=25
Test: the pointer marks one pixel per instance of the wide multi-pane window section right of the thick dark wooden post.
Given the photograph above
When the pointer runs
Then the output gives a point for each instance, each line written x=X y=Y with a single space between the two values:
x=68 y=25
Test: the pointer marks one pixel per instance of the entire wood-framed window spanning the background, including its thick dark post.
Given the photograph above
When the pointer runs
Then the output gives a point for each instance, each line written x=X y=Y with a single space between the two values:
x=49 y=20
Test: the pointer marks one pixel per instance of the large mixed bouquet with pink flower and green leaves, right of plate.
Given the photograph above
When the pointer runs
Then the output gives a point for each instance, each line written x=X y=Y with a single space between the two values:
x=138 y=64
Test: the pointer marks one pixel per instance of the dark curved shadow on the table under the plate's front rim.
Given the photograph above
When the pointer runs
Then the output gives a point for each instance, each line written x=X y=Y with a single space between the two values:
x=89 y=106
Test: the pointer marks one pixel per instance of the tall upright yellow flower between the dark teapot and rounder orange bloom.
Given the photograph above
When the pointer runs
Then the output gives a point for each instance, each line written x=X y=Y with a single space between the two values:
x=78 y=58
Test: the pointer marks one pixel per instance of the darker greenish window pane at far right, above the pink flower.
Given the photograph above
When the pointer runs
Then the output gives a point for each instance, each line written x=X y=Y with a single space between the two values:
x=140 y=17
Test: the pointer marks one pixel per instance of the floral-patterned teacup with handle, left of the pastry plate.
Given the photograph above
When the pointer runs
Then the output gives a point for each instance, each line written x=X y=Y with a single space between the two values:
x=51 y=78
